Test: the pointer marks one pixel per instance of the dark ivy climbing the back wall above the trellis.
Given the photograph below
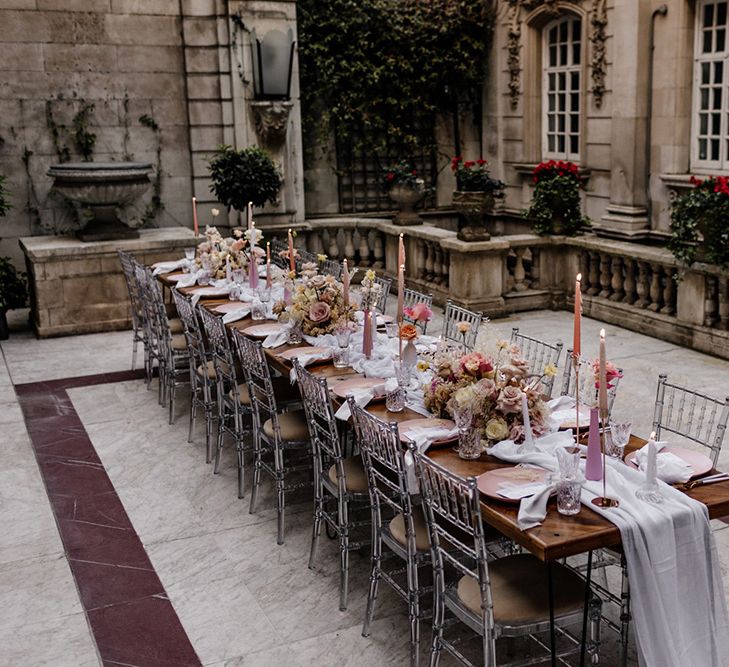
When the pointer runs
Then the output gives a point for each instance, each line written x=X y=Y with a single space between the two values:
x=380 y=70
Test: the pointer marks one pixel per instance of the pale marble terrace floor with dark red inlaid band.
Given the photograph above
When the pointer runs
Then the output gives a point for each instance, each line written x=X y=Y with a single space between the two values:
x=118 y=546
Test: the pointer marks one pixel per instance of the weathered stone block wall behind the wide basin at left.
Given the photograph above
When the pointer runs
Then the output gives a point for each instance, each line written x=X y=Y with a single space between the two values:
x=122 y=56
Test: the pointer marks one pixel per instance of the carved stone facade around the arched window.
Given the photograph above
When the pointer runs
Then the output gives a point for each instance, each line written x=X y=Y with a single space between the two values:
x=635 y=155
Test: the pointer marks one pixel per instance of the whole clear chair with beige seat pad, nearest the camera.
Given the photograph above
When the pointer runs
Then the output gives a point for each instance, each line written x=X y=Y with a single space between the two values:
x=501 y=597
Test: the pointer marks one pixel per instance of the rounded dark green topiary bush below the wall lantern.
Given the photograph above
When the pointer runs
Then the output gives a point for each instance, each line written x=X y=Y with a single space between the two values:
x=243 y=176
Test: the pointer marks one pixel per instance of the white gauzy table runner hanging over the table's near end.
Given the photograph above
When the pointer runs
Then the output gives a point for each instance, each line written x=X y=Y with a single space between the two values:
x=678 y=602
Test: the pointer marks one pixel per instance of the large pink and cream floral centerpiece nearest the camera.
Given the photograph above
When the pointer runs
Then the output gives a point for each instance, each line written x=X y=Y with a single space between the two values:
x=490 y=384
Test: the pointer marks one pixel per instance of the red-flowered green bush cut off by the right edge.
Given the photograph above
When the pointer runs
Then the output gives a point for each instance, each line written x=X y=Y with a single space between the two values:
x=702 y=213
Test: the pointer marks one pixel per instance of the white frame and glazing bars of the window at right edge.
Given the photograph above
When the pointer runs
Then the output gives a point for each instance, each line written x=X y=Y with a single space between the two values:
x=700 y=58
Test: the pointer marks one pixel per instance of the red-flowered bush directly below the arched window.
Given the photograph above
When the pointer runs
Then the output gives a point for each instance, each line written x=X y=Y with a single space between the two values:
x=556 y=207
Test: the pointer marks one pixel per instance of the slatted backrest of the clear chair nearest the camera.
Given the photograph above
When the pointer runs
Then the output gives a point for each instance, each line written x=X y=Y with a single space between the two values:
x=457 y=538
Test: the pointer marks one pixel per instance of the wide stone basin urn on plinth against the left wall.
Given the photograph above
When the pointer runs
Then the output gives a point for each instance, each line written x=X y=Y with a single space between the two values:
x=100 y=194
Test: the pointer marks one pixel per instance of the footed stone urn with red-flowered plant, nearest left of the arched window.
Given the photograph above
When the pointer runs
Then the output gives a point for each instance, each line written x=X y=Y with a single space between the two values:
x=475 y=196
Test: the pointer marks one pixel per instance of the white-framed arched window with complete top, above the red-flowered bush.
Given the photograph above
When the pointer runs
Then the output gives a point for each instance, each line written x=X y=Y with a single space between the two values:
x=561 y=88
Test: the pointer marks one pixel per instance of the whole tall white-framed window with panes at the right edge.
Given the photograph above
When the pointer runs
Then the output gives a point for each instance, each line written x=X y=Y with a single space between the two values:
x=710 y=136
